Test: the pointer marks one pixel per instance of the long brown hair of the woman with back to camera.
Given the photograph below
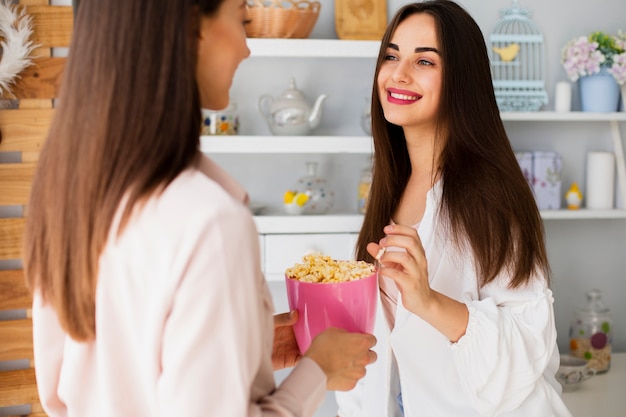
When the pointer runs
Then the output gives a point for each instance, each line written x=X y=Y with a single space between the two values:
x=126 y=125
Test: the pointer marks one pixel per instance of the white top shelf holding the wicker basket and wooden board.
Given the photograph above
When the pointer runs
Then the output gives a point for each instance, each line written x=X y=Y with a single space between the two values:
x=312 y=48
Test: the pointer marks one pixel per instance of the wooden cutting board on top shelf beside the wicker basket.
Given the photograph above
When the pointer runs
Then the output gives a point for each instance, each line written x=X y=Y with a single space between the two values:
x=360 y=19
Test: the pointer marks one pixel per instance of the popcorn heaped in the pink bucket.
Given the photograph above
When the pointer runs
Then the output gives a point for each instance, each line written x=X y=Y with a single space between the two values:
x=323 y=269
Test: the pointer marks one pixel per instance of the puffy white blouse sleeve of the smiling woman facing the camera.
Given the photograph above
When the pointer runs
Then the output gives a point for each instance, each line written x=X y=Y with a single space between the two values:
x=510 y=339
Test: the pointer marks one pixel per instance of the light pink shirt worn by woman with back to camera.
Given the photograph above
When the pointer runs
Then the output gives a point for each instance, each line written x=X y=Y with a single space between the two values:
x=183 y=318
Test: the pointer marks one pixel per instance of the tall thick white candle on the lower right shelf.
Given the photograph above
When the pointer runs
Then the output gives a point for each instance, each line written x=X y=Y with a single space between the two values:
x=600 y=190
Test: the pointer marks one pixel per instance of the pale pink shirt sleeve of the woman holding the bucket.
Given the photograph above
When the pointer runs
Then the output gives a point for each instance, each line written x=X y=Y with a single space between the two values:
x=216 y=358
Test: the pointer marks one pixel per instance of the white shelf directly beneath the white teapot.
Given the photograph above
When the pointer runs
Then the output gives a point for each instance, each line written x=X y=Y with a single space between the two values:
x=286 y=144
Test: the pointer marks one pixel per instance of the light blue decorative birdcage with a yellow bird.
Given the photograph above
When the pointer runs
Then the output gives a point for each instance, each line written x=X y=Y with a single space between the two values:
x=517 y=61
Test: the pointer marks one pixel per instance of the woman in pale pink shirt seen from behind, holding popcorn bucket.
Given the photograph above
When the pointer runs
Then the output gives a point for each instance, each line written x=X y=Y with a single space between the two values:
x=142 y=254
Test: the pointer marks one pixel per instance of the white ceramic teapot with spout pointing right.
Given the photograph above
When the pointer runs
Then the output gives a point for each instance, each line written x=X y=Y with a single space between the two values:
x=289 y=114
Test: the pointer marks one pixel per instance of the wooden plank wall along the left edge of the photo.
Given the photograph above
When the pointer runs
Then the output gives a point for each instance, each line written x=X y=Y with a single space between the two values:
x=24 y=130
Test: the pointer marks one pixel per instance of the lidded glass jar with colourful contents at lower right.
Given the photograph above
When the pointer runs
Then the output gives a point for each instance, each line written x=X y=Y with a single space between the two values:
x=591 y=333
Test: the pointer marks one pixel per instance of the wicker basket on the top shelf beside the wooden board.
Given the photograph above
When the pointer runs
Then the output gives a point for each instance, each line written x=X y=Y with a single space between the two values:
x=281 y=18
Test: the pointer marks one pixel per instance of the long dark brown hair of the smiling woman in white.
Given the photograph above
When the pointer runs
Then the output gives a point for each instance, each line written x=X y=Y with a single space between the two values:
x=486 y=200
